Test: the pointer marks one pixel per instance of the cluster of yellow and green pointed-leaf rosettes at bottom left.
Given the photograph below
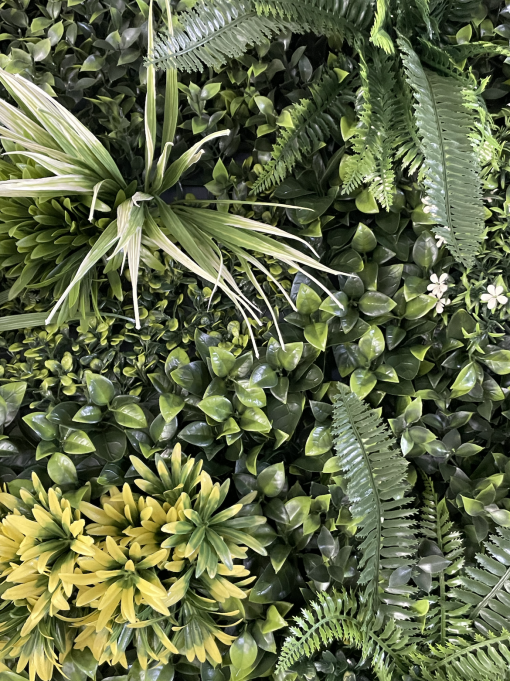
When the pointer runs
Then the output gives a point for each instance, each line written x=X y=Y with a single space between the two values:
x=159 y=568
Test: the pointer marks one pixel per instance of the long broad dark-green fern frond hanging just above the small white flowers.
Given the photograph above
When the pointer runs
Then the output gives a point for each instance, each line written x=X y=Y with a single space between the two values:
x=452 y=170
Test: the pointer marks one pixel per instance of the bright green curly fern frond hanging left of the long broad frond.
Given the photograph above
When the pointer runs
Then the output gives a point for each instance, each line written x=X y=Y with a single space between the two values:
x=374 y=141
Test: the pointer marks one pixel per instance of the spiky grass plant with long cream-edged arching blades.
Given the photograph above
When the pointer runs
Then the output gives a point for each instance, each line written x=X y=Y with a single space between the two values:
x=63 y=159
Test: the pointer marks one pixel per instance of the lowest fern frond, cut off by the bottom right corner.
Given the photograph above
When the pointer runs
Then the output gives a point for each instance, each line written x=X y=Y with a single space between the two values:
x=483 y=659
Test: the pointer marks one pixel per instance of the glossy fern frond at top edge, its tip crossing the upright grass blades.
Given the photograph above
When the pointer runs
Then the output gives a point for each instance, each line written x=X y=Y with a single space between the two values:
x=213 y=31
